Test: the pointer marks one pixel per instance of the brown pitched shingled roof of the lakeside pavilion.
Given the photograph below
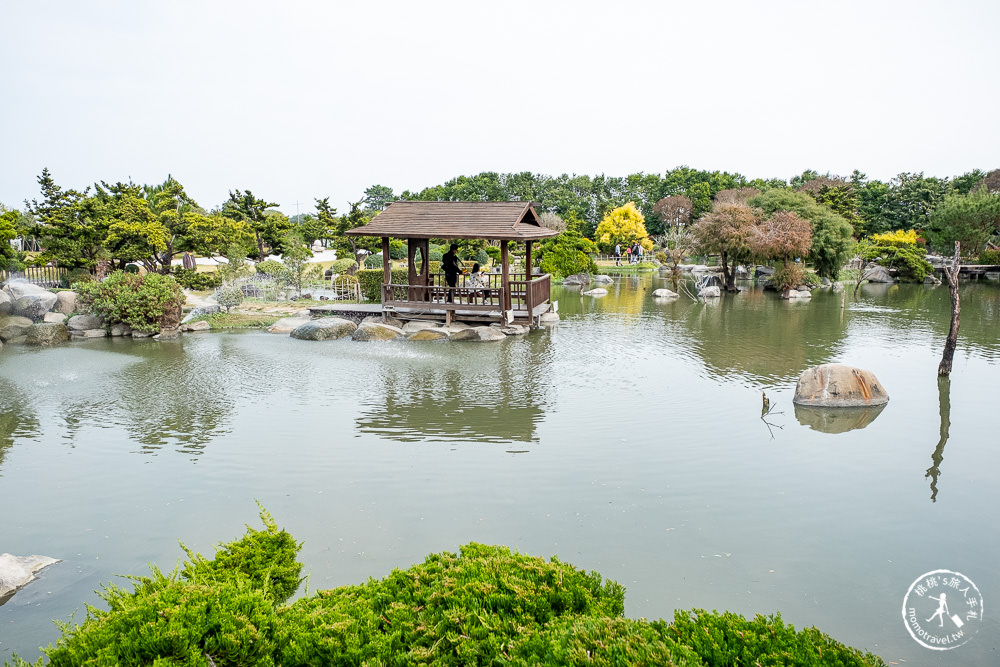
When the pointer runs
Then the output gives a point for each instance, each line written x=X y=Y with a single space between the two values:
x=501 y=221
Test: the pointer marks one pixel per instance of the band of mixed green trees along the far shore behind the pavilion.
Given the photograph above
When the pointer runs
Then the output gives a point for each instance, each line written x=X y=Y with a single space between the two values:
x=724 y=213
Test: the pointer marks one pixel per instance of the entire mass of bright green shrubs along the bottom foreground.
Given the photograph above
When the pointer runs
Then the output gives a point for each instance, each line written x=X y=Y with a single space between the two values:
x=486 y=605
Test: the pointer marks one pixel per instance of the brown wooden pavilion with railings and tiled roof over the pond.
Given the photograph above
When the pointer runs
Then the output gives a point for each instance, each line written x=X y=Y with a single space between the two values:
x=508 y=296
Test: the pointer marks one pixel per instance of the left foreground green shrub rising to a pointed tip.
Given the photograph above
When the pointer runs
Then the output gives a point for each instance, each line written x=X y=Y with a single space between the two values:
x=220 y=612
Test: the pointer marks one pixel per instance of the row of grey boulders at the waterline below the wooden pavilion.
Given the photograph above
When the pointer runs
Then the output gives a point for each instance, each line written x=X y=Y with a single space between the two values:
x=375 y=328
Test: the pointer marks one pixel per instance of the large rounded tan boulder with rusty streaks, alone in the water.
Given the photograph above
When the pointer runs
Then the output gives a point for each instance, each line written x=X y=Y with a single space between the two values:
x=839 y=386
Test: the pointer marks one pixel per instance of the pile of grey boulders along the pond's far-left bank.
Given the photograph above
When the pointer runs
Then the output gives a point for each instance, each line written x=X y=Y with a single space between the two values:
x=33 y=315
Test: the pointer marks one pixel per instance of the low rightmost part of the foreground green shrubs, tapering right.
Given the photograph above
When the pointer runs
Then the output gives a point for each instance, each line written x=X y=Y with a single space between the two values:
x=729 y=640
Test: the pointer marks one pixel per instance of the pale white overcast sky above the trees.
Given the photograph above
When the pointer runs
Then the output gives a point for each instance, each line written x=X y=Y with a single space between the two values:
x=297 y=100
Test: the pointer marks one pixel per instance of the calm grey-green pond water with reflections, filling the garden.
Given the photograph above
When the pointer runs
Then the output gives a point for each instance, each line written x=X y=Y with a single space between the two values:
x=627 y=439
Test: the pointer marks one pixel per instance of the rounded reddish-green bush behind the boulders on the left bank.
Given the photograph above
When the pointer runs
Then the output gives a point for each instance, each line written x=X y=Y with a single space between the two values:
x=146 y=302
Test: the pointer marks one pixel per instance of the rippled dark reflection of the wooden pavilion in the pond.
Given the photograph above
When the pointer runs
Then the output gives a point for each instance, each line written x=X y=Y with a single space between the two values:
x=491 y=394
